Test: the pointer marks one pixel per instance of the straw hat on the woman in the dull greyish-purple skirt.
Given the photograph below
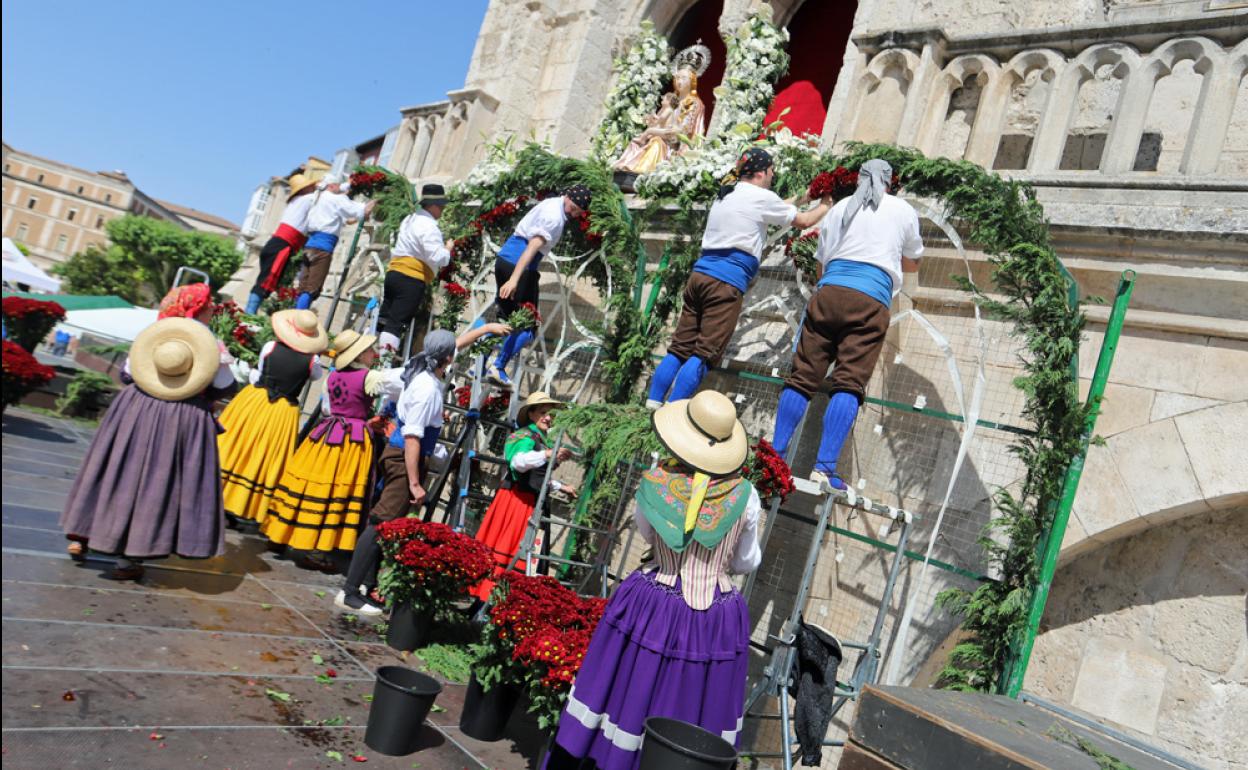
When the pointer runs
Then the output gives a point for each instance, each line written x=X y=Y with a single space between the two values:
x=174 y=359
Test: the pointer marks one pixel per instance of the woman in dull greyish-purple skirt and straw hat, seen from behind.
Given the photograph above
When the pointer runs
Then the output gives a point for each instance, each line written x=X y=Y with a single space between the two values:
x=150 y=485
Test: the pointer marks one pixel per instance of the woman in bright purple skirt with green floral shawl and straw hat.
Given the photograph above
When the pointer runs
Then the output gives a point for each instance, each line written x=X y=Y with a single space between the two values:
x=675 y=640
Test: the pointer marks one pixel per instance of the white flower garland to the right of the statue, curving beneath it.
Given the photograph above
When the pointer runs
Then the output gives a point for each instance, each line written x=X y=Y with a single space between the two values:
x=757 y=61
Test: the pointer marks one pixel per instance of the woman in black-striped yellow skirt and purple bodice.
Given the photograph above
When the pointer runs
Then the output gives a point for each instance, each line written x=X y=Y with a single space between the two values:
x=323 y=494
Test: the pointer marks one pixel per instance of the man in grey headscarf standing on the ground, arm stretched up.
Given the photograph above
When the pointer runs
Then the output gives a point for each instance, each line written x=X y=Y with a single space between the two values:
x=420 y=392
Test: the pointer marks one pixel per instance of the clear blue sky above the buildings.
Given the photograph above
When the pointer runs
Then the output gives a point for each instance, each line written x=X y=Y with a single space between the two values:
x=202 y=102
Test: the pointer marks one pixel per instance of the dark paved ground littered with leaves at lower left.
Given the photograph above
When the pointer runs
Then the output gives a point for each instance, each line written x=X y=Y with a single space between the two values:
x=177 y=671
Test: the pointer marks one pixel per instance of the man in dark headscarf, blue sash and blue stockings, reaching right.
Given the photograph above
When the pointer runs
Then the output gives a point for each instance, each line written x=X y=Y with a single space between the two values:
x=737 y=233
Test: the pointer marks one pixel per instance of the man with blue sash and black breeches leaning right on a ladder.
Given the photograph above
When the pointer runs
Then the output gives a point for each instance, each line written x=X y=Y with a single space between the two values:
x=516 y=269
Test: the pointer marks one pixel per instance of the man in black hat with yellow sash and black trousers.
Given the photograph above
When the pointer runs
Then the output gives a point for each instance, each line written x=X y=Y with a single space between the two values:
x=420 y=254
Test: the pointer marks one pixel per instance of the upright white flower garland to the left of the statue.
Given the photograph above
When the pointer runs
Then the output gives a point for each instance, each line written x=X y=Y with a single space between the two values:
x=640 y=80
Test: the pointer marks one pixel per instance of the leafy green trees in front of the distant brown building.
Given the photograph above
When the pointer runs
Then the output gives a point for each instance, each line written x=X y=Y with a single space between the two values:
x=143 y=259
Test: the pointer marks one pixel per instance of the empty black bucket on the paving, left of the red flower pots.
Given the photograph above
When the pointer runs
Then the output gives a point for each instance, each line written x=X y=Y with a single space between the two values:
x=402 y=699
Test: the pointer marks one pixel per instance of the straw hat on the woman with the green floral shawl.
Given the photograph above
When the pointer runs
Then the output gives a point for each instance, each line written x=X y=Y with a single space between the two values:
x=703 y=432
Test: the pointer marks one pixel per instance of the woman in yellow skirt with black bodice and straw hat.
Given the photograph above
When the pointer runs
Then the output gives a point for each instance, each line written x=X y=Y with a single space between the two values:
x=263 y=422
